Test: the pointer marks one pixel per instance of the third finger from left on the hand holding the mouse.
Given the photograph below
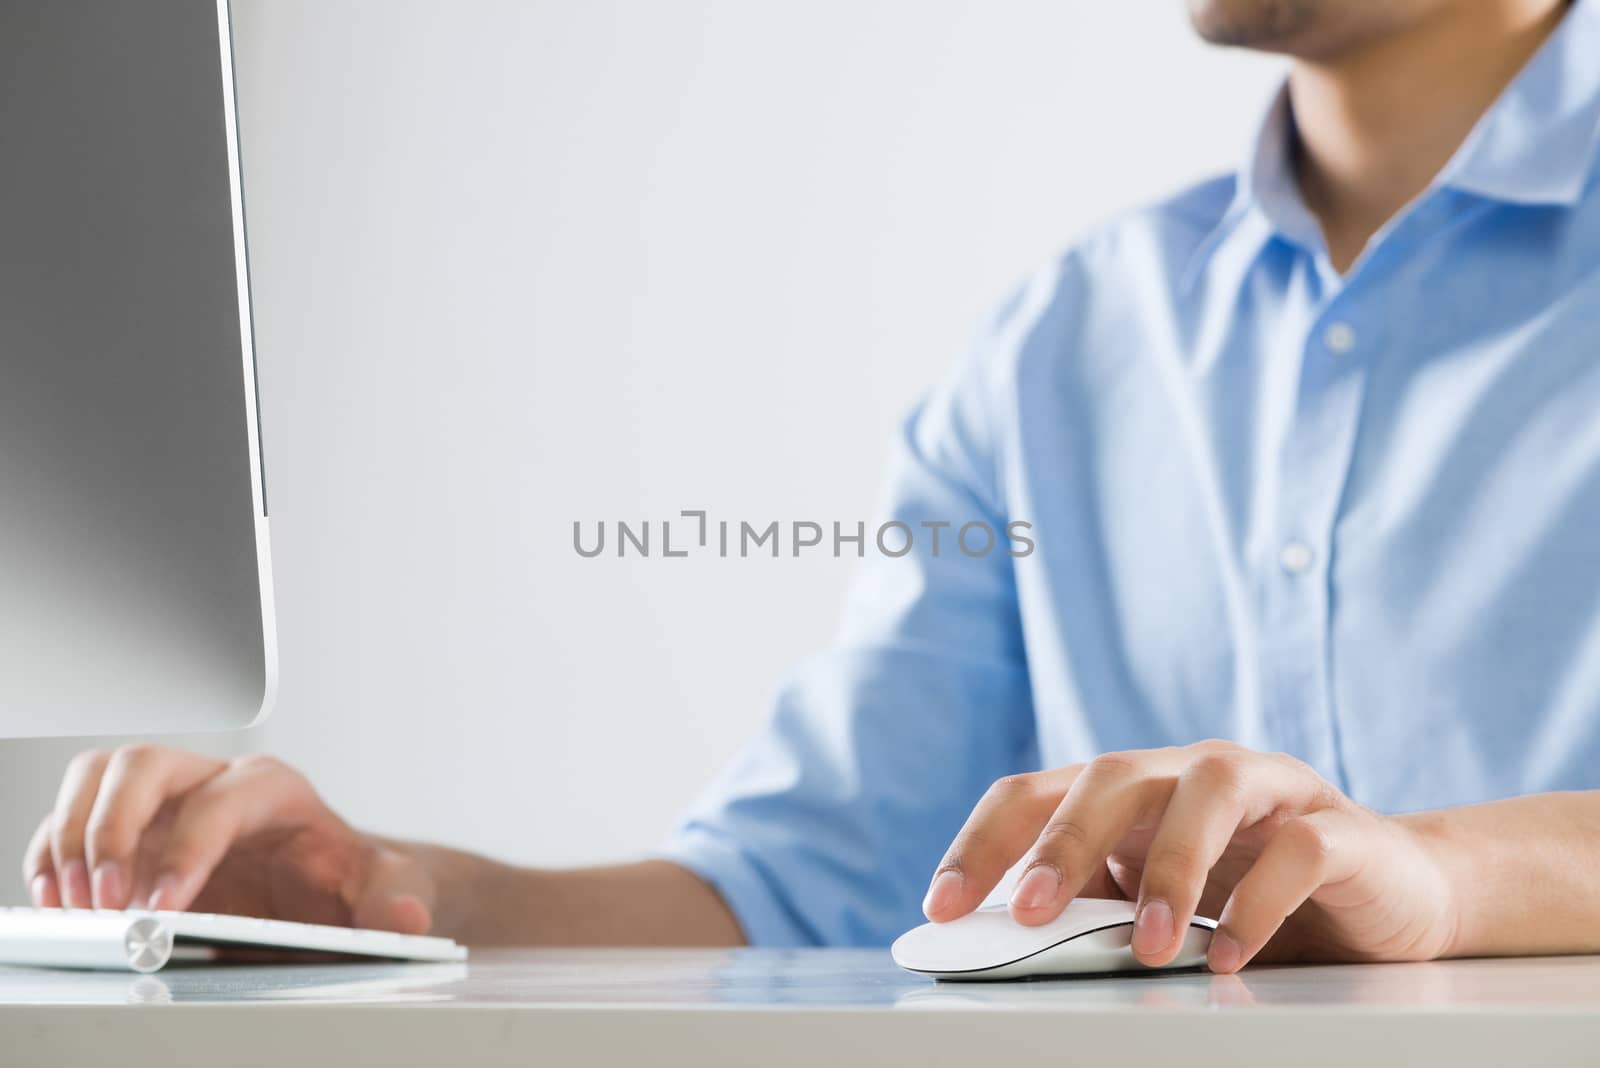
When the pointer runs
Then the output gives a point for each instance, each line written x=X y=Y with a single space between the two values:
x=1217 y=794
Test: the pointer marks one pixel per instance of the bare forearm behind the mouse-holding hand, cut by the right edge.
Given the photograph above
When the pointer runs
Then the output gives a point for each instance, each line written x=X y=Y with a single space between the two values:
x=1526 y=874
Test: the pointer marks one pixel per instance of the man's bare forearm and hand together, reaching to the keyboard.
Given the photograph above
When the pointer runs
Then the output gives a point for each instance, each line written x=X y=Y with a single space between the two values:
x=164 y=829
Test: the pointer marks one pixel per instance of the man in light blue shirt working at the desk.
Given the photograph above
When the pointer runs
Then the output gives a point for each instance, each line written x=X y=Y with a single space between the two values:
x=1313 y=461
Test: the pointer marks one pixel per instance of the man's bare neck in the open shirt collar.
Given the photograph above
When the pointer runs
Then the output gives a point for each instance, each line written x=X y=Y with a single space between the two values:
x=1377 y=124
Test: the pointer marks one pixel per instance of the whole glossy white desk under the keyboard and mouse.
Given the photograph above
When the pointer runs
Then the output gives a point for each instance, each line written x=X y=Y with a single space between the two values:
x=822 y=1010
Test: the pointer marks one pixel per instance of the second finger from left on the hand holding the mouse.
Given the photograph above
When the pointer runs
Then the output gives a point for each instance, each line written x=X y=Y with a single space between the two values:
x=1102 y=807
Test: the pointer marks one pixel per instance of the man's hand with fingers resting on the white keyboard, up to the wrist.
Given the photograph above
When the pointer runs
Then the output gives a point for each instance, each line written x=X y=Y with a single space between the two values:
x=172 y=831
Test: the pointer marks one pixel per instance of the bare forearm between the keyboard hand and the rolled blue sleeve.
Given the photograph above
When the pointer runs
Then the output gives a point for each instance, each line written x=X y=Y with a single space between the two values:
x=649 y=903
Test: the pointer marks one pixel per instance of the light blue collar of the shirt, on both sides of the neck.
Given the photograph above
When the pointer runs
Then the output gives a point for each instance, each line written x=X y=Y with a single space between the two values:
x=1535 y=146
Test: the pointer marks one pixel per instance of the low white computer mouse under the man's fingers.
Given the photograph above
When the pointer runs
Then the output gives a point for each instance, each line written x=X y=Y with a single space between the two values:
x=1089 y=936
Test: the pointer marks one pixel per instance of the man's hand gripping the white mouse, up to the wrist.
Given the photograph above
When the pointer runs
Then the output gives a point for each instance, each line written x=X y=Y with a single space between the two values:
x=1289 y=866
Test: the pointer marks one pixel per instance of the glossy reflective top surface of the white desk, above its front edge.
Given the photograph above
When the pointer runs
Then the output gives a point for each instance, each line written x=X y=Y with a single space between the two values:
x=706 y=979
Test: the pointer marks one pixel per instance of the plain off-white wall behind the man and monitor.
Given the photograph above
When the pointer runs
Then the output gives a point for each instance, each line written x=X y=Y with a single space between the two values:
x=521 y=265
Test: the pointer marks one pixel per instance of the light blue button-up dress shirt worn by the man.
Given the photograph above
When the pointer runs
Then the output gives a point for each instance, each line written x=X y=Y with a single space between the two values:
x=1353 y=519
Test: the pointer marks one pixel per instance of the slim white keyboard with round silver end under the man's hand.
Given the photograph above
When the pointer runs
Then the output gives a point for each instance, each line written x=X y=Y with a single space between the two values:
x=145 y=942
